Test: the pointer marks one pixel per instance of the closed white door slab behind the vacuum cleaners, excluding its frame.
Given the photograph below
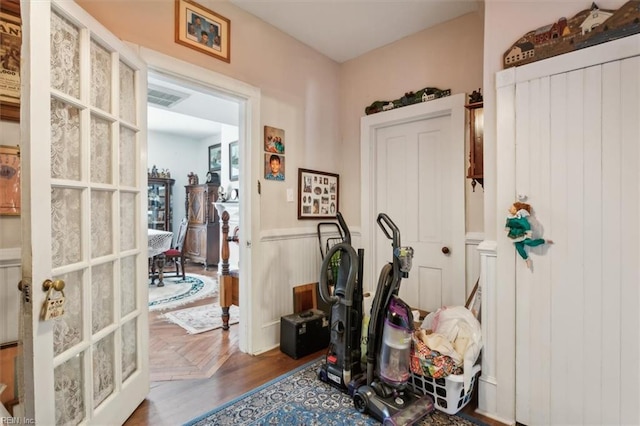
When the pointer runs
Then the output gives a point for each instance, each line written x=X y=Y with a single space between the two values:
x=414 y=160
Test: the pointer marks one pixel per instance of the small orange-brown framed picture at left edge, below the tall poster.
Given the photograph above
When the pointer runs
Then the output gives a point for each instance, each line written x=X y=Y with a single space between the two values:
x=9 y=180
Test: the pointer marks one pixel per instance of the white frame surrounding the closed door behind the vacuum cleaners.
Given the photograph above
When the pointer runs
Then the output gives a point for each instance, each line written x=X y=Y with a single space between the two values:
x=450 y=105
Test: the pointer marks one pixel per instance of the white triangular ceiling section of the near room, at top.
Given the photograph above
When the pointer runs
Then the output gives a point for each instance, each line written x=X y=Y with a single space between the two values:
x=346 y=29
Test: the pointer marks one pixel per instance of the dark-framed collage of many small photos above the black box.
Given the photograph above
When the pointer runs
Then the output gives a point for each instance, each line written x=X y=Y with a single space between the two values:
x=318 y=194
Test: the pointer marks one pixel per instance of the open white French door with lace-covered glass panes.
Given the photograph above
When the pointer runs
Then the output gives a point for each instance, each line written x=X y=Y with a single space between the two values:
x=84 y=190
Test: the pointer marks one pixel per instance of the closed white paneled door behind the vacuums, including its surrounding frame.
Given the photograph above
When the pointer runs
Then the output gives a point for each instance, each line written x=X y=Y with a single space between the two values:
x=414 y=170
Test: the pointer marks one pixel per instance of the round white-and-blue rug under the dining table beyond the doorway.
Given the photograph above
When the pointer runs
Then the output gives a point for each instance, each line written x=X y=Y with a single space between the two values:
x=177 y=292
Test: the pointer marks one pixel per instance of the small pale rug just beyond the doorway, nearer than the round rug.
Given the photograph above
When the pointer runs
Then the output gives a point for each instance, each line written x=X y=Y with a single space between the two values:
x=202 y=318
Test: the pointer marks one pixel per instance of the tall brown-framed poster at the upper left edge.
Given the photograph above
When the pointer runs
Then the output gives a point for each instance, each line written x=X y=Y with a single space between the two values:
x=10 y=51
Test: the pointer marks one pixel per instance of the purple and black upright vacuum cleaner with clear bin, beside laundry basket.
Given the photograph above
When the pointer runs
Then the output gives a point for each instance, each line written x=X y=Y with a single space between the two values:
x=386 y=394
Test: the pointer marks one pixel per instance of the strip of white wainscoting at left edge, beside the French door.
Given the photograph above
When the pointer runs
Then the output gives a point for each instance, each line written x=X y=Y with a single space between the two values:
x=10 y=273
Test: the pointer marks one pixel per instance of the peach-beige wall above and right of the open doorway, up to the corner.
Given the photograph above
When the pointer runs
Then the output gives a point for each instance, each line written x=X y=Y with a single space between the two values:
x=300 y=87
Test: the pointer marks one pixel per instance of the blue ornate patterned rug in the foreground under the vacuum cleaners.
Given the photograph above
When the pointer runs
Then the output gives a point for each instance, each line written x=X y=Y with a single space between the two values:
x=300 y=398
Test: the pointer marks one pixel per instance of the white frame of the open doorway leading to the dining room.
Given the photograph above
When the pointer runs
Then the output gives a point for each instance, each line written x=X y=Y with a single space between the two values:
x=249 y=132
